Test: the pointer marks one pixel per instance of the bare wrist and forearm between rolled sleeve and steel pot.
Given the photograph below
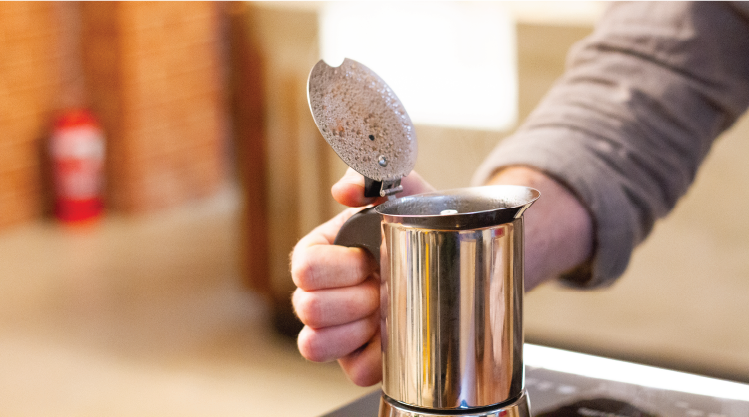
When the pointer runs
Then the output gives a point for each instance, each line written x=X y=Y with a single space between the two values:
x=559 y=230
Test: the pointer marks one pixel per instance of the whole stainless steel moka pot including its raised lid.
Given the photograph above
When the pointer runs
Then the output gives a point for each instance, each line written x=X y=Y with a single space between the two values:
x=451 y=262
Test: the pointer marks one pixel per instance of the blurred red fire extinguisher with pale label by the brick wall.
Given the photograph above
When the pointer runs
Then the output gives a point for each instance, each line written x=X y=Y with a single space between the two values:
x=77 y=154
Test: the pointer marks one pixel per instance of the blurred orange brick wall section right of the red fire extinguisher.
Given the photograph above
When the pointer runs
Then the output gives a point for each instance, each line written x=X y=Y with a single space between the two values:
x=154 y=72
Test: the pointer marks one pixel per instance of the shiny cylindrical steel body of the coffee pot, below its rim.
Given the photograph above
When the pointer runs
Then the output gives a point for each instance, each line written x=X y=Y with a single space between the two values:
x=452 y=310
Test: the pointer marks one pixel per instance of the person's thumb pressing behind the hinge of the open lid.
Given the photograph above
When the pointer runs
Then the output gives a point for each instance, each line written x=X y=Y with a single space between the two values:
x=349 y=190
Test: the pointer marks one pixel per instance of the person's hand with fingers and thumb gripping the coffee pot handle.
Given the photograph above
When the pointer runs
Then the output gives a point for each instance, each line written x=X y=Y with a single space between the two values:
x=338 y=294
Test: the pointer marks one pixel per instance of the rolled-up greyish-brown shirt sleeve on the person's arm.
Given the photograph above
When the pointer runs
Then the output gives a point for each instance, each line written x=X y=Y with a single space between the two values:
x=634 y=115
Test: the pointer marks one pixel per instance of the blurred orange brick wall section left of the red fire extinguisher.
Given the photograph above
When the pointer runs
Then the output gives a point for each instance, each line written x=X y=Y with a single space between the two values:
x=29 y=92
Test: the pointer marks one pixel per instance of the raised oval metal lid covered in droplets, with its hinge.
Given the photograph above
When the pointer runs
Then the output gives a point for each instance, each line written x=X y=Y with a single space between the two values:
x=364 y=122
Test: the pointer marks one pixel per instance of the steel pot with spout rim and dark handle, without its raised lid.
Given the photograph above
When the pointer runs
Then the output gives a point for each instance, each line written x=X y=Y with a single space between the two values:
x=451 y=264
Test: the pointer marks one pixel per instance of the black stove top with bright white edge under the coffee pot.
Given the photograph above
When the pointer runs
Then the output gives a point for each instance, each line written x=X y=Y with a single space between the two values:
x=567 y=384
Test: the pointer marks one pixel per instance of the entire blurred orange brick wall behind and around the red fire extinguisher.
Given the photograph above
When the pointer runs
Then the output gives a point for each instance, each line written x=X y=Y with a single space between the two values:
x=150 y=69
